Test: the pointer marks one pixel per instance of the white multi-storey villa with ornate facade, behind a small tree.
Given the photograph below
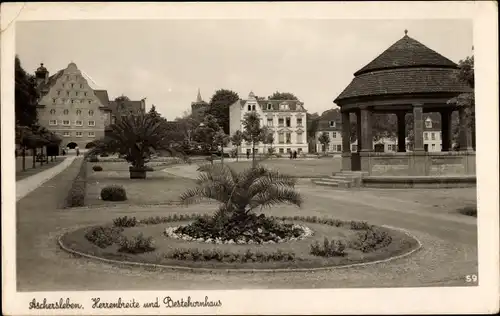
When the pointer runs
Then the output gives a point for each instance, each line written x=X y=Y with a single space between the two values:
x=286 y=119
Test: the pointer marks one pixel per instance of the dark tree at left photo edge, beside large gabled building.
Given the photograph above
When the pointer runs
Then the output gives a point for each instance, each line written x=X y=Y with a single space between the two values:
x=26 y=96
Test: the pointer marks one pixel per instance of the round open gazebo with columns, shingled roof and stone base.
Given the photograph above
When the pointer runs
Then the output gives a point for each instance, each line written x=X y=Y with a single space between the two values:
x=406 y=78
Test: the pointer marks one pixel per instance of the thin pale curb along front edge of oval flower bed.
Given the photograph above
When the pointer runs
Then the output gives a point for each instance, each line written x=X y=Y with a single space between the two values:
x=215 y=270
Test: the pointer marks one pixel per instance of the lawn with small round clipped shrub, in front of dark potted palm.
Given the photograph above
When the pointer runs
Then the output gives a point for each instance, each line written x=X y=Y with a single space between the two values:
x=159 y=187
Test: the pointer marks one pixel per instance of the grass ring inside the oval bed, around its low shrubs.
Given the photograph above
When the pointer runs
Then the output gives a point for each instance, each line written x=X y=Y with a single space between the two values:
x=401 y=243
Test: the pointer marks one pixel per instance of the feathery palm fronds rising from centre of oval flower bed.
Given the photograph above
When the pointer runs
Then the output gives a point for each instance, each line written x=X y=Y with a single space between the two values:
x=242 y=193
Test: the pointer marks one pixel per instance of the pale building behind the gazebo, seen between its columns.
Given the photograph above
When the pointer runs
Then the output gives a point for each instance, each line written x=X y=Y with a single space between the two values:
x=331 y=123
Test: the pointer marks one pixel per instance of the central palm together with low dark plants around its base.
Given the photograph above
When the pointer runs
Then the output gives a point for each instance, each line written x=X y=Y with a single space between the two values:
x=239 y=195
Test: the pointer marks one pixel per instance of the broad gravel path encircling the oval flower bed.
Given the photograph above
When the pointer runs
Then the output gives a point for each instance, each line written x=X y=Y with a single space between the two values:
x=449 y=249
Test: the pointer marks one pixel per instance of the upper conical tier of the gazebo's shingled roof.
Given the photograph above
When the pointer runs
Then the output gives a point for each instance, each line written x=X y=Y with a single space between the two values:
x=407 y=52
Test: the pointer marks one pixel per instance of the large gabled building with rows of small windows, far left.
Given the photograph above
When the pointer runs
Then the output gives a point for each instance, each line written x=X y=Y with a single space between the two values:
x=70 y=108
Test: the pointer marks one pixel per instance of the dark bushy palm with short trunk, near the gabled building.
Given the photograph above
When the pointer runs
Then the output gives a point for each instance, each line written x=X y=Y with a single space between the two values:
x=136 y=137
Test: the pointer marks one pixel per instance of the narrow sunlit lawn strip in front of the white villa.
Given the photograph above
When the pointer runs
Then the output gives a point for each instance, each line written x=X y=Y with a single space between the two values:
x=309 y=168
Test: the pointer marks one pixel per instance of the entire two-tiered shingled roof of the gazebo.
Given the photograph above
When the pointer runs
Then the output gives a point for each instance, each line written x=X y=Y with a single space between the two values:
x=406 y=67
